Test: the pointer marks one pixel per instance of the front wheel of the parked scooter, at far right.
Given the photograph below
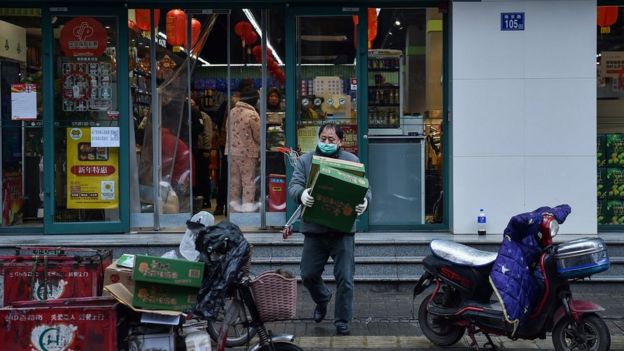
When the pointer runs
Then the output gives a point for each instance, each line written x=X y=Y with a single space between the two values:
x=591 y=334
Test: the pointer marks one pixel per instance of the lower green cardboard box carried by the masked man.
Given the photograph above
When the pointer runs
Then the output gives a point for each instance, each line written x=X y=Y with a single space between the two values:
x=336 y=193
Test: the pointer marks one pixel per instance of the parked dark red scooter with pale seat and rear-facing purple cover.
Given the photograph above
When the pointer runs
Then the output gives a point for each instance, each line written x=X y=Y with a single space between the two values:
x=462 y=299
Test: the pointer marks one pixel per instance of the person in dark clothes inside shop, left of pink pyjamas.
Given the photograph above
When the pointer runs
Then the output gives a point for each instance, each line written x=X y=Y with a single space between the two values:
x=202 y=132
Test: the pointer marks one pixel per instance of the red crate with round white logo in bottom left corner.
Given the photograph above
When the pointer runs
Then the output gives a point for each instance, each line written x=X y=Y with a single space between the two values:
x=67 y=324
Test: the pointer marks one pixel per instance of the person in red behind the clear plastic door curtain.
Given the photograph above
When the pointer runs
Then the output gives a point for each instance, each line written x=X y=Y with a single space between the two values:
x=176 y=155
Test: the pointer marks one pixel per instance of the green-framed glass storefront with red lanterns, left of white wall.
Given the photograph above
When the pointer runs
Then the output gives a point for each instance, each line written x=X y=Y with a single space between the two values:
x=84 y=143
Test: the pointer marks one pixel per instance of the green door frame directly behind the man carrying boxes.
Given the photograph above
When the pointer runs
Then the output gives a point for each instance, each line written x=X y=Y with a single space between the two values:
x=291 y=85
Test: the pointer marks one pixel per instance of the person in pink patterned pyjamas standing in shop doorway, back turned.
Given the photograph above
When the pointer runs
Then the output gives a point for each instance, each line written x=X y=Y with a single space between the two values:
x=243 y=150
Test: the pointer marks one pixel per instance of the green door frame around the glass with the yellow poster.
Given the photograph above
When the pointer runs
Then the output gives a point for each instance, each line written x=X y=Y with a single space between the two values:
x=123 y=225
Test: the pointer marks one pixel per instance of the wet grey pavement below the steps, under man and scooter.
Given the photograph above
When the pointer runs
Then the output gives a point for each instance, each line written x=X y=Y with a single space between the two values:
x=383 y=321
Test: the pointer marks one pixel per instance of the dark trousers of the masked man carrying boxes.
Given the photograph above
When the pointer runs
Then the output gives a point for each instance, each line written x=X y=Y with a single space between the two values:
x=317 y=248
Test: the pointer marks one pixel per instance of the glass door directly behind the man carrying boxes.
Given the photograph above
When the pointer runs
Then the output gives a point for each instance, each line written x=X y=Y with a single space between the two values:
x=326 y=85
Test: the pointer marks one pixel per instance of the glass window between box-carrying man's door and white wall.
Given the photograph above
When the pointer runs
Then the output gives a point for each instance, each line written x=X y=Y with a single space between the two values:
x=405 y=115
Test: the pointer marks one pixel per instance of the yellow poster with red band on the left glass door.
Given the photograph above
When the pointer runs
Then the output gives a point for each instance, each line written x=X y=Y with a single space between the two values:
x=92 y=172
